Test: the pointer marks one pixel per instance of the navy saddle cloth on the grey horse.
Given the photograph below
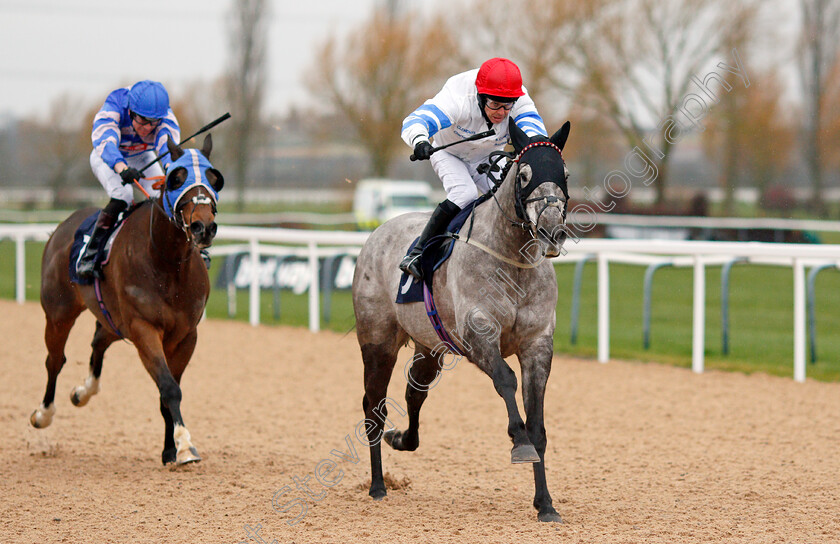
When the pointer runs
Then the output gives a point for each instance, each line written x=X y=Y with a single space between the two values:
x=436 y=252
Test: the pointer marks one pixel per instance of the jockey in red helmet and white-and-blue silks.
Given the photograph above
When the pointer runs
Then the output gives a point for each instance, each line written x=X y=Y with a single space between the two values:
x=469 y=103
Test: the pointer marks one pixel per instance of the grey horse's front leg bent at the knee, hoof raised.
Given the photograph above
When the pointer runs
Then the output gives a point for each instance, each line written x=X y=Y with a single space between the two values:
x=487 y=356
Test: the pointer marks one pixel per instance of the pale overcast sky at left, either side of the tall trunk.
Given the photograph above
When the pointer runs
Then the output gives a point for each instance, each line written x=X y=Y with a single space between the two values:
x=87 y=48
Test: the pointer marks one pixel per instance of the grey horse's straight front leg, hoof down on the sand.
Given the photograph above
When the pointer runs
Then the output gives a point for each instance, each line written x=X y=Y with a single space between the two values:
x=535 y=359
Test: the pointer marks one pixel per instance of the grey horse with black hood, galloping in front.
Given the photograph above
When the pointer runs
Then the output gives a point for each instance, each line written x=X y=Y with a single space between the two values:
x=515 y=316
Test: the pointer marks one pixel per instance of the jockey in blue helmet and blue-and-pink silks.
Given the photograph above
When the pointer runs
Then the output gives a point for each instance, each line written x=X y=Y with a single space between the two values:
x=129 y=132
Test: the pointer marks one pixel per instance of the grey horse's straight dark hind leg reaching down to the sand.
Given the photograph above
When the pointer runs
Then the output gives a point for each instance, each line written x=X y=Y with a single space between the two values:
x=379 y=358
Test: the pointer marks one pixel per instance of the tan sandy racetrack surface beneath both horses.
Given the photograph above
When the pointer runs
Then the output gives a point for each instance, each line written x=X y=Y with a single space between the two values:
x=636 y=452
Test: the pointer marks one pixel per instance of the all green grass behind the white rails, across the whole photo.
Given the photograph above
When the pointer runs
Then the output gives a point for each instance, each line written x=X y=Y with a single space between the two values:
x=761 y=314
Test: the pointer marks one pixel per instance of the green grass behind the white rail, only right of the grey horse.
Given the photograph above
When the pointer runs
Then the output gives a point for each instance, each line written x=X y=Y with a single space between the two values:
x=760 y=318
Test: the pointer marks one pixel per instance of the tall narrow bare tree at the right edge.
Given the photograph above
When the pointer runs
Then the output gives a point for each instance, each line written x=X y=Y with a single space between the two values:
x=819 y=49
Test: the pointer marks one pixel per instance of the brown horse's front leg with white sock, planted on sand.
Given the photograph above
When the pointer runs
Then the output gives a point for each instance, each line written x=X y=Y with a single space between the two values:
x=147 y=340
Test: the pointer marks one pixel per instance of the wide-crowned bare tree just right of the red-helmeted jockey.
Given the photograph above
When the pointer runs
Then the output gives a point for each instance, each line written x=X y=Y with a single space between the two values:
x=629 y=60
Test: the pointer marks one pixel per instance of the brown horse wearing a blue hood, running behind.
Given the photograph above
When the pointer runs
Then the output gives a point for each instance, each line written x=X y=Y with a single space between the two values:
x=153 y=293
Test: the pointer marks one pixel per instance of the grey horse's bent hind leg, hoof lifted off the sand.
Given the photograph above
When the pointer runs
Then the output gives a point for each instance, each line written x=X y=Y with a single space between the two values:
x=421 y=376
